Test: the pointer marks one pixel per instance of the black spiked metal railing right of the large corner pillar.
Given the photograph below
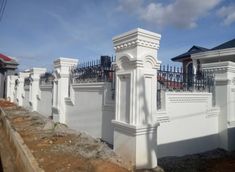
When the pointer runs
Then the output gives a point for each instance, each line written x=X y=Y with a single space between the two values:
x=174 y=79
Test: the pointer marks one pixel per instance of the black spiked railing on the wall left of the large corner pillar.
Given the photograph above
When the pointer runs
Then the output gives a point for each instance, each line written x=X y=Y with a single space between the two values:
x=94 y=71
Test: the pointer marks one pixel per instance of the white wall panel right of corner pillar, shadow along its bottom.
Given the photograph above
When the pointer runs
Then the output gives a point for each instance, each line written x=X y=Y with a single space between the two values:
x=189 y=124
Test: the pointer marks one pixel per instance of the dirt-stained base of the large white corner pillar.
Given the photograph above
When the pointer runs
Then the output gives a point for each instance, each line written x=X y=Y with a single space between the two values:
x=136 y=144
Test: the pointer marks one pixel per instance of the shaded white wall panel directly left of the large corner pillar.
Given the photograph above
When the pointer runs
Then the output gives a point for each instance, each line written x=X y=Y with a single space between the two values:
x=91 y=109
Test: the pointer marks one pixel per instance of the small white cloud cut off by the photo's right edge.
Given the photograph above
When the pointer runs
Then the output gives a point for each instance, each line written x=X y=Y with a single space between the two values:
x=227 y=13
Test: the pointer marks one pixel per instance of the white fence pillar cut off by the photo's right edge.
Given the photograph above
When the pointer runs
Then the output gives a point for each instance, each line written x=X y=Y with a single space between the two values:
x=225 y=99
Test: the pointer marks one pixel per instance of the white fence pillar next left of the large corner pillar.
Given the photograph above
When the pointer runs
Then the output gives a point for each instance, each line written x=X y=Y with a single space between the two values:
x=62 y=68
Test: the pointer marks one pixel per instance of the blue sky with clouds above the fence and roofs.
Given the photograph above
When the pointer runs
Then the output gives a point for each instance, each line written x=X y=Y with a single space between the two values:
x=37 y=32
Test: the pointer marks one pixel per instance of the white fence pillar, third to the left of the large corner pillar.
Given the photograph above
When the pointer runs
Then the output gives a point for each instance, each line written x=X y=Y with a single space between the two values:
x=19 y=89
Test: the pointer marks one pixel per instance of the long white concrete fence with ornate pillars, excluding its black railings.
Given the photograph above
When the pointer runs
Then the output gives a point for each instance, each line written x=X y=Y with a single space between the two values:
x=139 y=132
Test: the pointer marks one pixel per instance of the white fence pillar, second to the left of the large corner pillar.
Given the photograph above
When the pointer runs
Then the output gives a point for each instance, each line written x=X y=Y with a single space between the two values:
x=34 y=86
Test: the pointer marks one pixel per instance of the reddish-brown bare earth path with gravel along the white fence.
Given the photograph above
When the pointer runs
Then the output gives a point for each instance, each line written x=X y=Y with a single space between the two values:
x=59 y=149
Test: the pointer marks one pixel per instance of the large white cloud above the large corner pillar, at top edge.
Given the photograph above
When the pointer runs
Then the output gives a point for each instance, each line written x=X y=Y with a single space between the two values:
x=180 y=13
